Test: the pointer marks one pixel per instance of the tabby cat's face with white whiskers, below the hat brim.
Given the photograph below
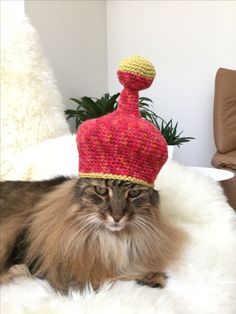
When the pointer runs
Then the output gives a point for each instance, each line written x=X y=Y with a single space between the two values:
x=115 y=204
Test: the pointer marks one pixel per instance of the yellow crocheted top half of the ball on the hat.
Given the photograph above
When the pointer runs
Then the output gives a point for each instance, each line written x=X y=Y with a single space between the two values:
x=138 y=65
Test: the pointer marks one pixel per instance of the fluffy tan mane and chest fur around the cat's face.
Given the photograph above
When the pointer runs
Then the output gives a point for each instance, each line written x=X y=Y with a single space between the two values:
x=71 y=247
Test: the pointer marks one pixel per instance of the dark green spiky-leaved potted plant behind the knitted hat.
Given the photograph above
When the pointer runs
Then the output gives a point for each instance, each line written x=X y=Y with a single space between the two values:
x=91 y=107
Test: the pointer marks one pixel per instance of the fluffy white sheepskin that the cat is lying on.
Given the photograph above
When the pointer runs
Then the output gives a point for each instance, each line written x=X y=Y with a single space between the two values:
x=204 y=281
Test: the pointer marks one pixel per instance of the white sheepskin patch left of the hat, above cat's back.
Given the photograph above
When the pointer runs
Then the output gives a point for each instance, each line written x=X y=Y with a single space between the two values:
x=45 y=160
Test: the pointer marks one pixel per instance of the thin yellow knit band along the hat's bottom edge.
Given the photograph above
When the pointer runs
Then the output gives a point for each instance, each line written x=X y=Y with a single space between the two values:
x=116 y=177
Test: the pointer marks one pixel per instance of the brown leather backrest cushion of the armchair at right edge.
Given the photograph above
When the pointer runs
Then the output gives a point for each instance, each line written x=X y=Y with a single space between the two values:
x=225 y=110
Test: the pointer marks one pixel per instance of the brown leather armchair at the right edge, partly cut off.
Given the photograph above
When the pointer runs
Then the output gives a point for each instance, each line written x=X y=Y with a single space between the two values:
x=225 y=128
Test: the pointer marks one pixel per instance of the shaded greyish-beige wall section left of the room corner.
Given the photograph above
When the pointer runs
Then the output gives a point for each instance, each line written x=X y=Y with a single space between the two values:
x=73 y=35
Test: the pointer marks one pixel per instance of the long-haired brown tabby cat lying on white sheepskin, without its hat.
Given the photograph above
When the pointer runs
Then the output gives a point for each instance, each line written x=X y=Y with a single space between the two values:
x=80 y=231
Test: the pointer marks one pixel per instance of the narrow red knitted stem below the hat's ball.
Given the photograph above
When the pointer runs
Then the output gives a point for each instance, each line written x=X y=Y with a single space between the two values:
x=129 y=102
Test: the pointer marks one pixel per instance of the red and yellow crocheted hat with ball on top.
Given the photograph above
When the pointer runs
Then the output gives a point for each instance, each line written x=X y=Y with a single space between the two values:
x=122 y=145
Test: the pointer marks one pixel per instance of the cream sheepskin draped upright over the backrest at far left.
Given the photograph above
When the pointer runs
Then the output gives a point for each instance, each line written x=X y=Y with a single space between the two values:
x=31 y=105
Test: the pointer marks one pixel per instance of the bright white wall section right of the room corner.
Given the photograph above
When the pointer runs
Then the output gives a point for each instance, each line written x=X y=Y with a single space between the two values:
x=187 y=41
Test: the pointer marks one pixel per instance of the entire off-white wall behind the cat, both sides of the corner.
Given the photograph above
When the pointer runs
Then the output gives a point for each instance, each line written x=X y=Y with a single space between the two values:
x=186 y=40
